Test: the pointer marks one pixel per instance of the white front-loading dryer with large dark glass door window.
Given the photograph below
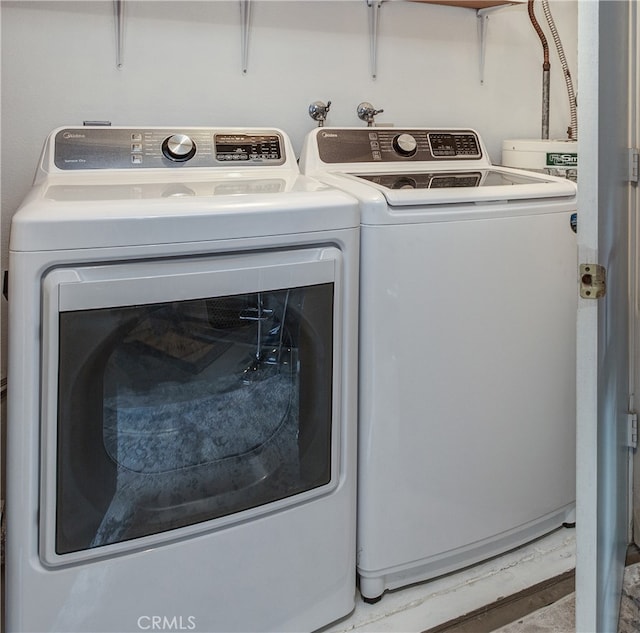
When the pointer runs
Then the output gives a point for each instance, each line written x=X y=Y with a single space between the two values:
x=182 y=386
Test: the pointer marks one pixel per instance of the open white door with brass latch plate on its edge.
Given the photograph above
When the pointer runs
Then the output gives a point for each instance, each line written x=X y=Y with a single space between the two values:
x=604 y=45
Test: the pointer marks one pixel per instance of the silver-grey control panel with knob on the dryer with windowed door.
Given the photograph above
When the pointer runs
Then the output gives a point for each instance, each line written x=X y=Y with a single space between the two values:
x=131 y=148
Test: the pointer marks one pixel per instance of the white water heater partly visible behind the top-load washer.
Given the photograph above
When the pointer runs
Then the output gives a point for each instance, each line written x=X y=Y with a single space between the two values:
x=556 y=157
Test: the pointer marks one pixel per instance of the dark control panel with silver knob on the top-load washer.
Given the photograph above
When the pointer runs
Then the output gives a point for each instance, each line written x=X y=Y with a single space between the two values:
x=360 y=145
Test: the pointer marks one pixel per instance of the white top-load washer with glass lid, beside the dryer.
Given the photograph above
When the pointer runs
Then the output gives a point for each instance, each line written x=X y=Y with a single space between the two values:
x=468 y=293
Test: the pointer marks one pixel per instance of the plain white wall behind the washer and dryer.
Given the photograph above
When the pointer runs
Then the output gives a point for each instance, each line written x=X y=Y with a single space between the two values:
x=182 y=66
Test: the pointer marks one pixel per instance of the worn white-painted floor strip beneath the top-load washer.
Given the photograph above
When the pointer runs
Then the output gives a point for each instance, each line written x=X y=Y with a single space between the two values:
x=422 y=607
